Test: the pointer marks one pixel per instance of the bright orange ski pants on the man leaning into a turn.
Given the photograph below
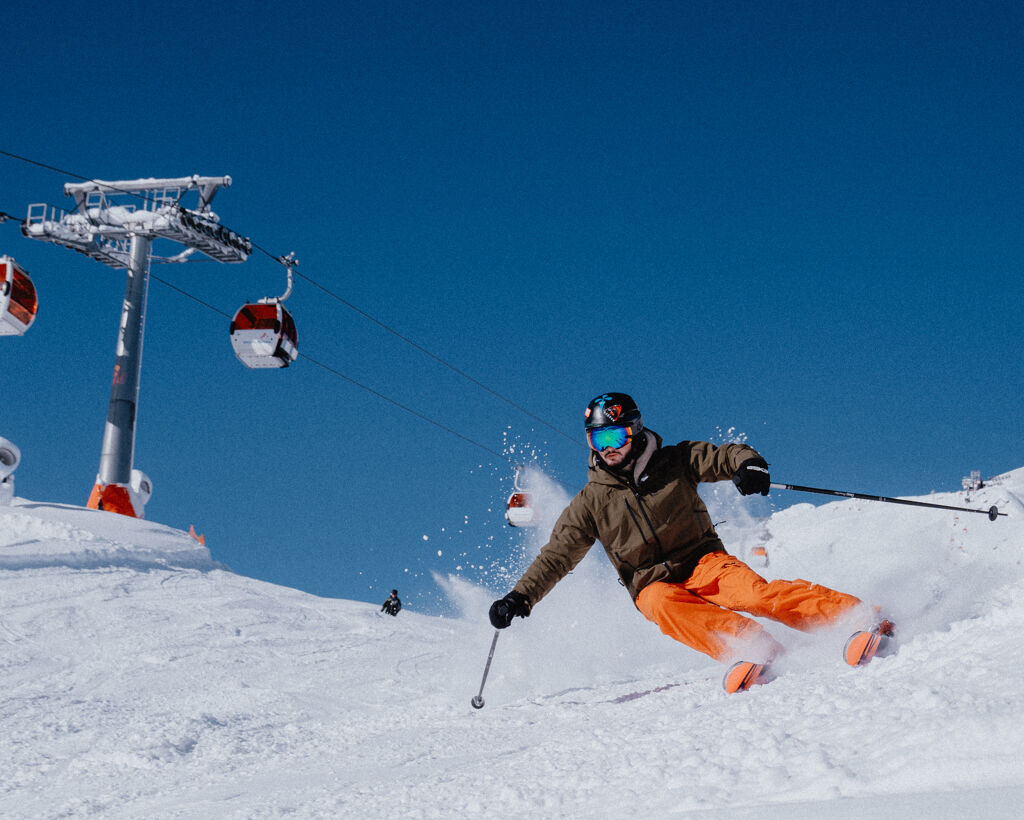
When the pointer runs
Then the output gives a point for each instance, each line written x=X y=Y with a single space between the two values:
x=701 y=613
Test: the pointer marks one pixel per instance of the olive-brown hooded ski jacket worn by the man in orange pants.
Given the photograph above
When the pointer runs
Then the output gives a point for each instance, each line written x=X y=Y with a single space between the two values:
x=653 y=524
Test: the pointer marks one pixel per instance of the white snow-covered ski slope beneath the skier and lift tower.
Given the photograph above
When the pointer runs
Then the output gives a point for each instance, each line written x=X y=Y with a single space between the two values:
x=139 y=679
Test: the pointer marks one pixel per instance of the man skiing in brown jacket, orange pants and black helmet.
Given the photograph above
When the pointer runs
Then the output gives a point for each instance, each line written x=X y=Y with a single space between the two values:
x=642 y=503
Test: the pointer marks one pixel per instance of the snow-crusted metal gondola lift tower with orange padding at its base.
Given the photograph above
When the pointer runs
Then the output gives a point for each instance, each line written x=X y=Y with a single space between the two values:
x=118 y=224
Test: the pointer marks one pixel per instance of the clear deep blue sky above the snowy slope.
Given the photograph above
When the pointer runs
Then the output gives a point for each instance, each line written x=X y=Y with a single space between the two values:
x=799 y=221
